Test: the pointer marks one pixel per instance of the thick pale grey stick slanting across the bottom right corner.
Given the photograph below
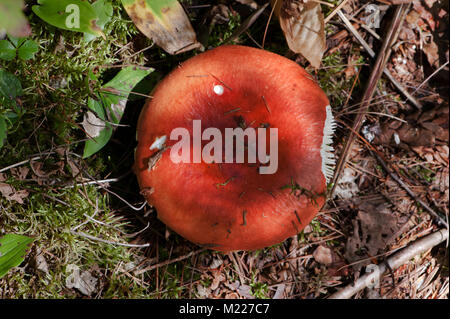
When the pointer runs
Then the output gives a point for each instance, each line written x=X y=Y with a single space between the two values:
x=418 y=247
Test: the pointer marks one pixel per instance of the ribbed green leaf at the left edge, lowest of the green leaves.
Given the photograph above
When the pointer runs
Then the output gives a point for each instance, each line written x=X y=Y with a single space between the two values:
x=13 y=249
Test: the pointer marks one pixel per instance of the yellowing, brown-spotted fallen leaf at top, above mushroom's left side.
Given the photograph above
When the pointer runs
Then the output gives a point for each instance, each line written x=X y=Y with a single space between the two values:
x=165 y=22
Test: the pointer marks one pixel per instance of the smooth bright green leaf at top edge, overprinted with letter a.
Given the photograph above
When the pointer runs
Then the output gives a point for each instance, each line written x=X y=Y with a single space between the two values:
x=72 y=15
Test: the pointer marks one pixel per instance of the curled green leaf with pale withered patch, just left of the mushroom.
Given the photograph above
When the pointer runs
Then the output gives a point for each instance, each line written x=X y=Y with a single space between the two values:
x=109 y=107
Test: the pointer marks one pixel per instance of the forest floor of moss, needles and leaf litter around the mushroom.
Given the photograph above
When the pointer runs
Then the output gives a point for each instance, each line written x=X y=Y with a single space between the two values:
x=93 y=238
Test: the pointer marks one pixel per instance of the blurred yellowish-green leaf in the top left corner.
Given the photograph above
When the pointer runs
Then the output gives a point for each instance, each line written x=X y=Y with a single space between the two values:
x=12 y=18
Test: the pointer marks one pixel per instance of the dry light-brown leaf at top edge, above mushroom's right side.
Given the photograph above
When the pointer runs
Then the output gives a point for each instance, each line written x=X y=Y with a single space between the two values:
x=303 y=26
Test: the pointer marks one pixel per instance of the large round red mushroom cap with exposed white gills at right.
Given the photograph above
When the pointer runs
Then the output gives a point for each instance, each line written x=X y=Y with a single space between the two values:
x=207 y=194
